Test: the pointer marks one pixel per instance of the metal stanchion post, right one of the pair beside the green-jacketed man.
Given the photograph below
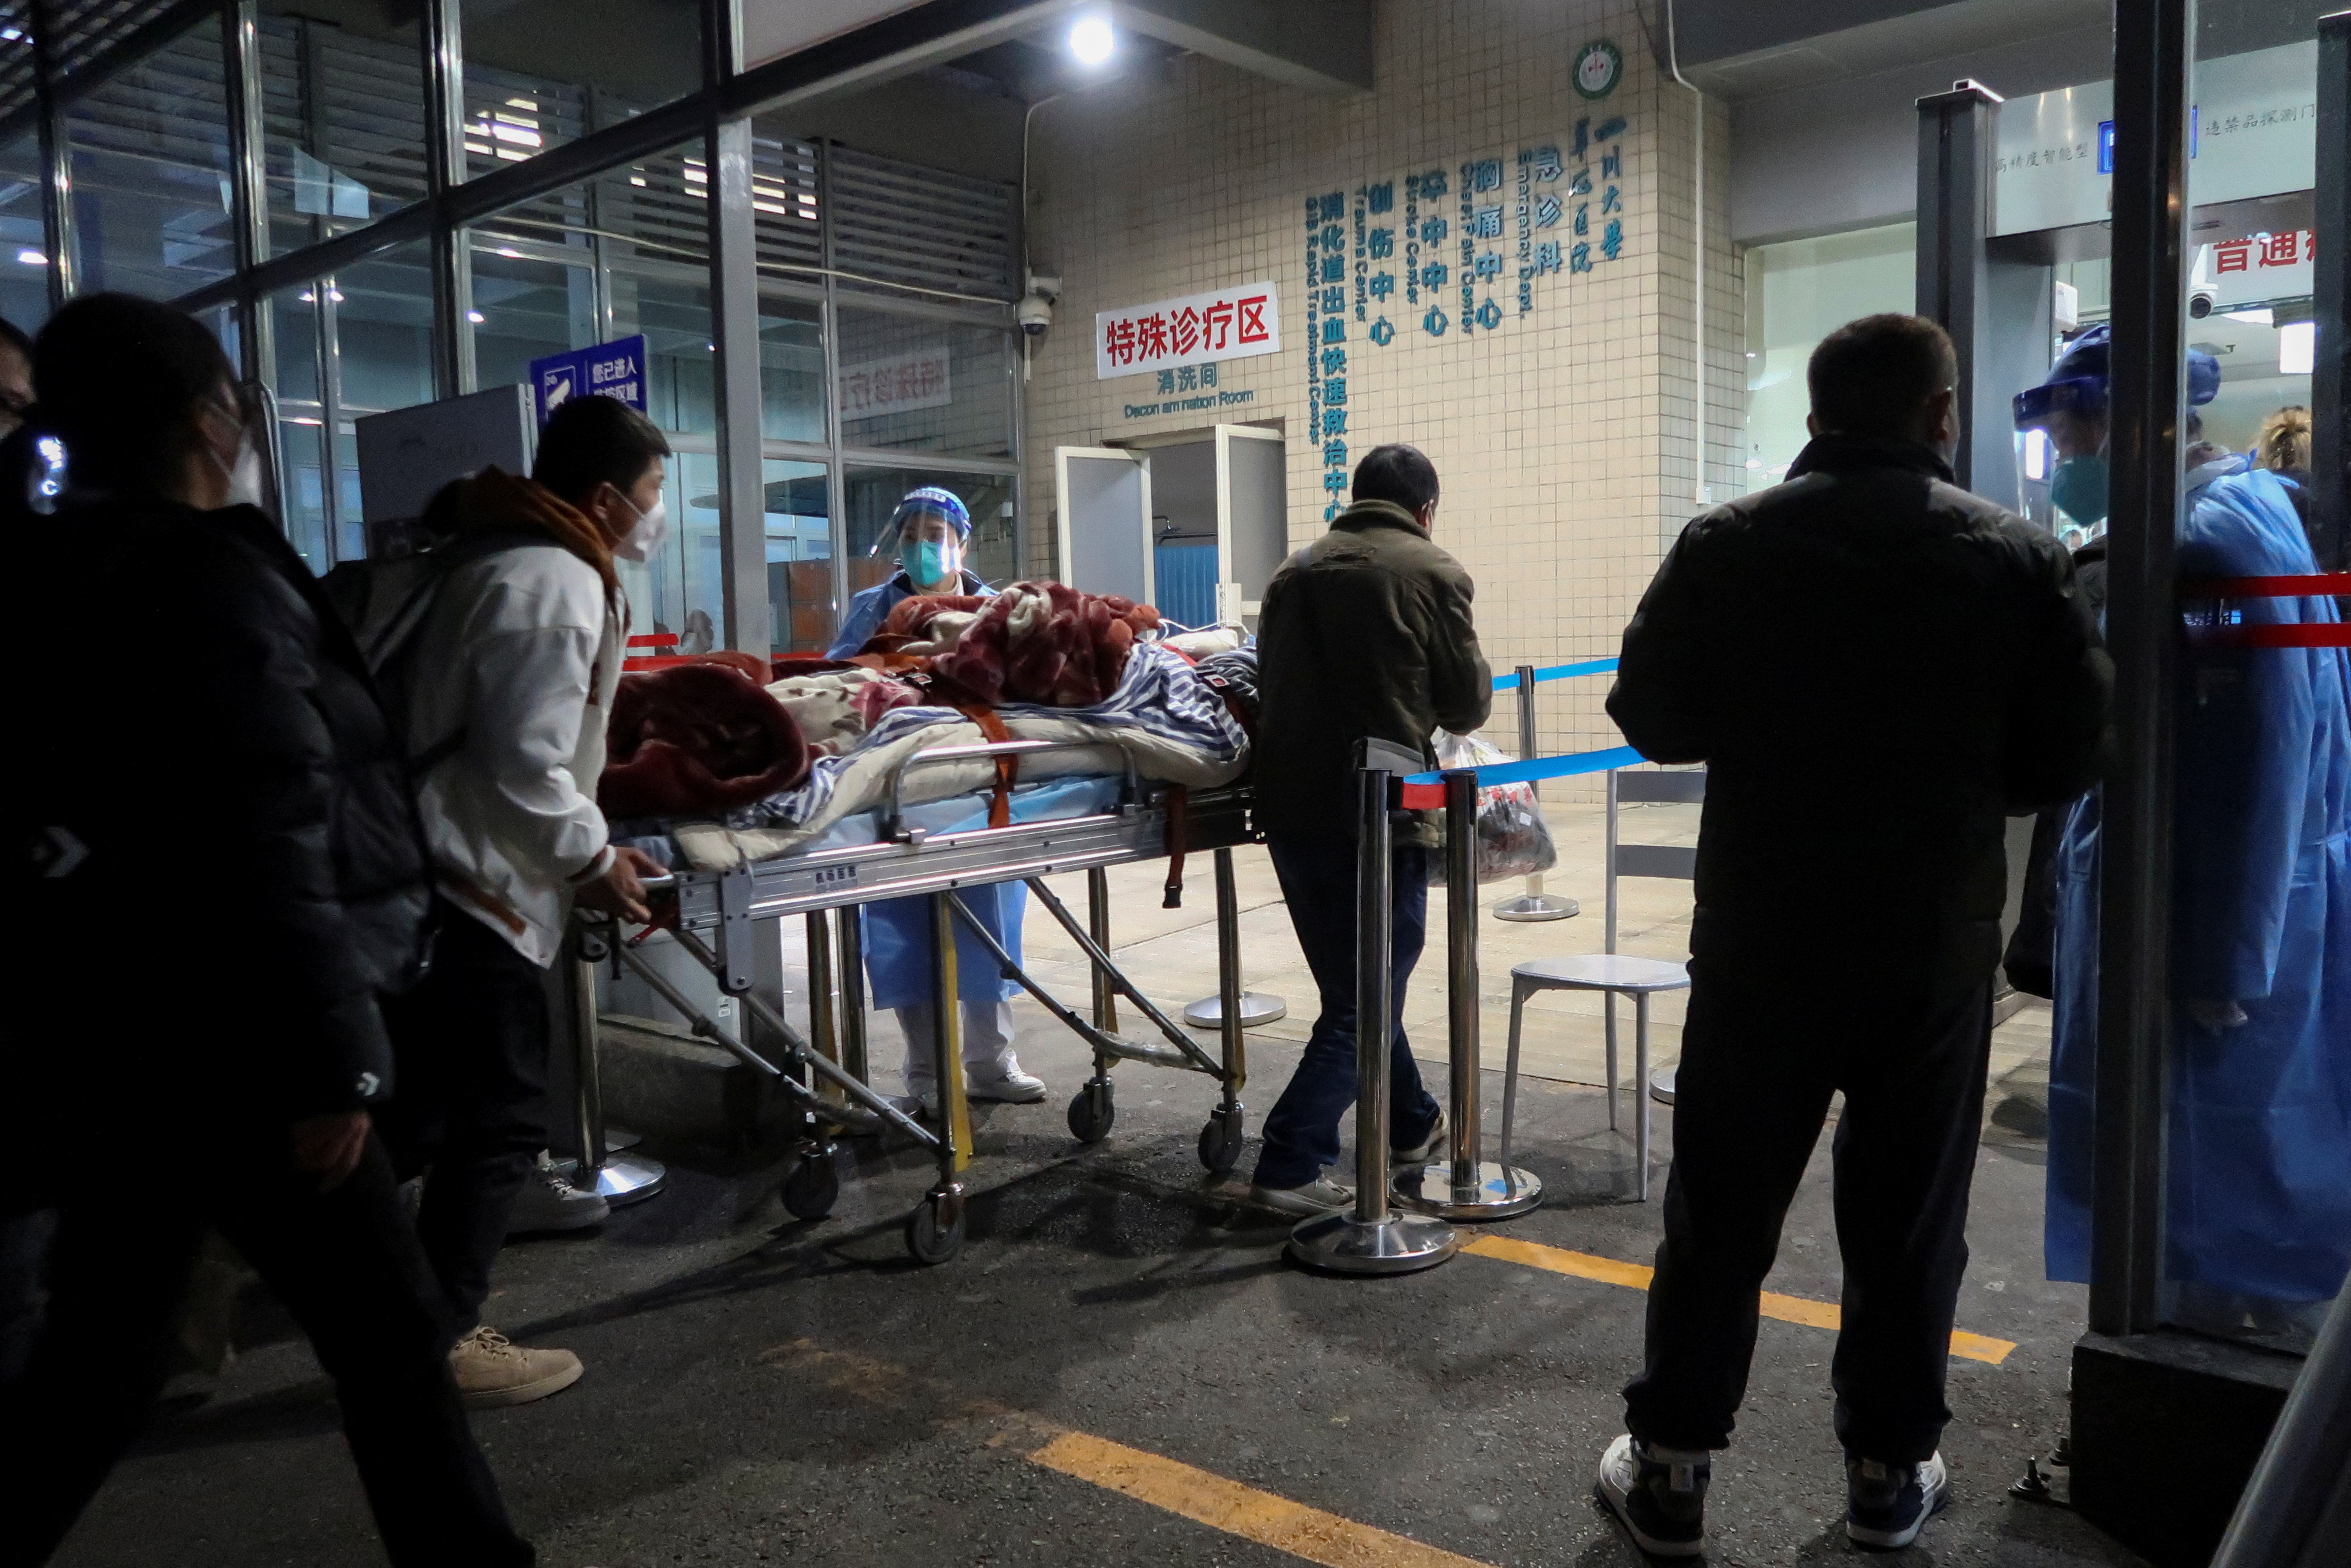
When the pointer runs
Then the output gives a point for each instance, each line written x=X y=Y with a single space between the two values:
x=1466 y=1186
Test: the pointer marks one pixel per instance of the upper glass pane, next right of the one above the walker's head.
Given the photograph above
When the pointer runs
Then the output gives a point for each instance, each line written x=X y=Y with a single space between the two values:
x=344 y=116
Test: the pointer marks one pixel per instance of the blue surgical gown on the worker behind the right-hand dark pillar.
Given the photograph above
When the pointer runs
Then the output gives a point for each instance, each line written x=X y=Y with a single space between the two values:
x=2258 y=1188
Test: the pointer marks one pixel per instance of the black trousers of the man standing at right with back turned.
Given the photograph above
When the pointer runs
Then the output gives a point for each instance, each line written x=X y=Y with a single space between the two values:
x=1762 y=1052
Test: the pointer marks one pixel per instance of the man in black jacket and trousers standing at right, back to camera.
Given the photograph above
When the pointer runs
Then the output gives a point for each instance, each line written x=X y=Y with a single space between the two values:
x=1875 y=669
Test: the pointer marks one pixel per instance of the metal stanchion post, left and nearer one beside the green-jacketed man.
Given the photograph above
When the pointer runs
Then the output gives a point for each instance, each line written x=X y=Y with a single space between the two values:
x=1372 y=1240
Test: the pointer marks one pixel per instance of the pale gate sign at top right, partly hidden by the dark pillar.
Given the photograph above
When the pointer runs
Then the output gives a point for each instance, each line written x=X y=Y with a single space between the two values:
x=2256 y=135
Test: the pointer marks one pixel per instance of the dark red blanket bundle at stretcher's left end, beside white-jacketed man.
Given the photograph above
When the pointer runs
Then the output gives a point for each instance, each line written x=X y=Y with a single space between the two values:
x=697 y=739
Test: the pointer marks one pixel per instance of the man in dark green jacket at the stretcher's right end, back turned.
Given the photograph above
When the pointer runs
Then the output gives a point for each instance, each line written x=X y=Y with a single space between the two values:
x=1365 y=634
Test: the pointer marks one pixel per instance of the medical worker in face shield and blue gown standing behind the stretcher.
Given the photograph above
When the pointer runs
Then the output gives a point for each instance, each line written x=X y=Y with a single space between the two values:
x=930 y=532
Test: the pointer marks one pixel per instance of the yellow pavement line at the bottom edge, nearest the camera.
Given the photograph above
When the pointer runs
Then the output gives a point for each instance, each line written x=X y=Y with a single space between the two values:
x=1238 y=1510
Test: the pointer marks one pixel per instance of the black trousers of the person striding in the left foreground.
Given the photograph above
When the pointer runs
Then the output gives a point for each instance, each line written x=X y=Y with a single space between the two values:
x=347 y=1268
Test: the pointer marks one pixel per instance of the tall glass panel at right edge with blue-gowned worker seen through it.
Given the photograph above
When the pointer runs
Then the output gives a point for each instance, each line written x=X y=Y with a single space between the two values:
x=2258 y=1202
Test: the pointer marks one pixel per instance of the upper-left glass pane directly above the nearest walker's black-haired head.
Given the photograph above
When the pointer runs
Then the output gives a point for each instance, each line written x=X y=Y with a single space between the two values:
x=152 y=173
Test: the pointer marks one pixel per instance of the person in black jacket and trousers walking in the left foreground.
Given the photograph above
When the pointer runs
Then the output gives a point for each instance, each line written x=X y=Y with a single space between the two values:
x=225 y=873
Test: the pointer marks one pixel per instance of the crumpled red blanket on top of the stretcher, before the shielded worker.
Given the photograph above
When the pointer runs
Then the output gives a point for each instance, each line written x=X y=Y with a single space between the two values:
x=1047 y=643
